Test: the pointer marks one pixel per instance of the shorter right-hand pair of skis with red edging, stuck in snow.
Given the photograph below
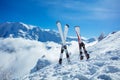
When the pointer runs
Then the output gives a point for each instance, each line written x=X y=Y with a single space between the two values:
x=81 y=44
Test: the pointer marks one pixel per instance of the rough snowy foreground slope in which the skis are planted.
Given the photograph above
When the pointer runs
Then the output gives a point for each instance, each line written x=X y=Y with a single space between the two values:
x=104 y=64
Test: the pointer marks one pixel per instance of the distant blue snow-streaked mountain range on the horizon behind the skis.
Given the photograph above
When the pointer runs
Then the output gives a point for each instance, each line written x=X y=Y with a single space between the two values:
x=21 y=30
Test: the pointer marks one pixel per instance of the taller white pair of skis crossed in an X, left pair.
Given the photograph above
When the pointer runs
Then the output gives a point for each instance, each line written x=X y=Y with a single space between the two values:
x=63 y=38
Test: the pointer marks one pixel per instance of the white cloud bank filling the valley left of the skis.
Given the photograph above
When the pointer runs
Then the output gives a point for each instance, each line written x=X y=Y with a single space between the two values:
x=21 y=55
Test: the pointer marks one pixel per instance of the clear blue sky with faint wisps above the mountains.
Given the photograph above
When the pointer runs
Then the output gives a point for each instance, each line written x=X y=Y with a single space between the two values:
x=93 y=16
